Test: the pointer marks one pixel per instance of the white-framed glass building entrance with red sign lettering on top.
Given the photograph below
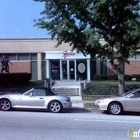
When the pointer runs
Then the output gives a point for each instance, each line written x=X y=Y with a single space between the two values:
x=67 y=66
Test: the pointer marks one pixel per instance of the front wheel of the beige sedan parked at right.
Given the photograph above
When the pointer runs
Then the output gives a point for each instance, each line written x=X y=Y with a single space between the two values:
x=115 y=108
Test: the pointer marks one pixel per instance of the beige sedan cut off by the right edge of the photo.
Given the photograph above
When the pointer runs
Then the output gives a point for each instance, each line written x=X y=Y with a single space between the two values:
x=129 y=101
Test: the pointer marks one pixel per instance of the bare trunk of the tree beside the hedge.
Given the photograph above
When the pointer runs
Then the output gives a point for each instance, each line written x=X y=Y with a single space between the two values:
x=121 y=82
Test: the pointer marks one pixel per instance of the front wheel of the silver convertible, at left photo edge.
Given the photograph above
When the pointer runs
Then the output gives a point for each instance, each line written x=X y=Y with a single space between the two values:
x=5 y=105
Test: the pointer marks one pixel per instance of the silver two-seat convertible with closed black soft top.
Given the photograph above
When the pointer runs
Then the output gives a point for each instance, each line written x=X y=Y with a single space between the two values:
x=36 y=98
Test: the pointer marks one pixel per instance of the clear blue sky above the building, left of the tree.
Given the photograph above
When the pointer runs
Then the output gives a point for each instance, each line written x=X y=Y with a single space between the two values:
x=16 y=19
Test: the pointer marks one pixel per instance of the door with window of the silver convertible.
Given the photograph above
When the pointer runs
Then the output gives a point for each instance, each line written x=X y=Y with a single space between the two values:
x=35 y=99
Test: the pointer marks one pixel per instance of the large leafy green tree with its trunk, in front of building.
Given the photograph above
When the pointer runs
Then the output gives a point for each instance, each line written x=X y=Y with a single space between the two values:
x=82 y=23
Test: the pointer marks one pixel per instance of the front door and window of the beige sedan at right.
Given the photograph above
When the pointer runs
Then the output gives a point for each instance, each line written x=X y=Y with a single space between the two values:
x=132 y=102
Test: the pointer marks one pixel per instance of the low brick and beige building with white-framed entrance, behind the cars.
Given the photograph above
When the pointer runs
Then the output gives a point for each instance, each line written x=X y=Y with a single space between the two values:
x=42 y=59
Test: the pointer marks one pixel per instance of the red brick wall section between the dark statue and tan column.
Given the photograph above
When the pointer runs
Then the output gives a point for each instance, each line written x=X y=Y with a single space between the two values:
x=19 y=67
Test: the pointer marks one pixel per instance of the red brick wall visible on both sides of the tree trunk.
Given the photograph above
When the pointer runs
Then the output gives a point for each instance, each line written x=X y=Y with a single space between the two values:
x=132 y=68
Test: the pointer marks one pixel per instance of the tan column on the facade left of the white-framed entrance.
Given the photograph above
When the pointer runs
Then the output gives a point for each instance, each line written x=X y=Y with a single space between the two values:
x=39 y=66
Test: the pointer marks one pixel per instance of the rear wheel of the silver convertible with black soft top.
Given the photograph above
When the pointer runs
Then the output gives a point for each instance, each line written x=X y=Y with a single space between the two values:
x=55 y=106
